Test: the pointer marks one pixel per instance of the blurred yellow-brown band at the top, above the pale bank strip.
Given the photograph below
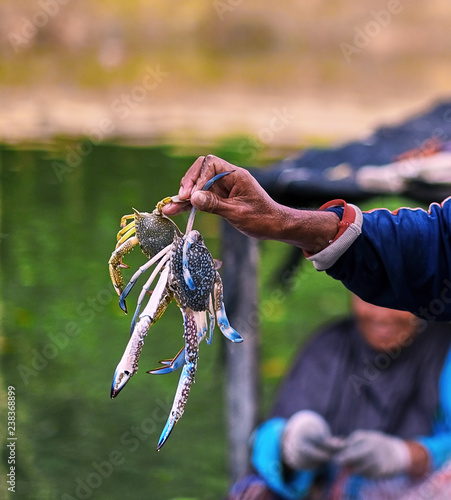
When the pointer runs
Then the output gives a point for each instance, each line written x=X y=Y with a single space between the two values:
x=96 y=43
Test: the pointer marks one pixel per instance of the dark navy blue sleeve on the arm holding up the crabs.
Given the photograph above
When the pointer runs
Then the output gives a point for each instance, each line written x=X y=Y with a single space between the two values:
x=402 y=260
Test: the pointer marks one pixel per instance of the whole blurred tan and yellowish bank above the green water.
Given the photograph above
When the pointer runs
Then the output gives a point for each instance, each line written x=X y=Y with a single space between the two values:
x=338 y=67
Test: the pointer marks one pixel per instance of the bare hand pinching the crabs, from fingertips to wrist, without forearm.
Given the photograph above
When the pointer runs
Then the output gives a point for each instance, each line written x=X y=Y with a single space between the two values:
x=237 y=197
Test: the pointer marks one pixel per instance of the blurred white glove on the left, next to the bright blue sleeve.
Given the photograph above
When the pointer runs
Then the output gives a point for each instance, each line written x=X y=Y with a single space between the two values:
x=307 y=441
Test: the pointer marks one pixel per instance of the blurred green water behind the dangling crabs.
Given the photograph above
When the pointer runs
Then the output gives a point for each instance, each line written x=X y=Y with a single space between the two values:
x=63 y=333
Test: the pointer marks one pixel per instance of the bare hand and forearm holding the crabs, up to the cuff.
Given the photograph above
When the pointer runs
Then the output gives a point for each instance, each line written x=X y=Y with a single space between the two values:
x=240 y=199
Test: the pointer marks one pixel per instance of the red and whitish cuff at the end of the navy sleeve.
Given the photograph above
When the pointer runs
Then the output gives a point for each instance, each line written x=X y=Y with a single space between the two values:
x=349 y=228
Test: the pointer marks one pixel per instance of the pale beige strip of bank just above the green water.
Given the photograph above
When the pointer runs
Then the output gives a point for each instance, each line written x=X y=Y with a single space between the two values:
x=137 y=116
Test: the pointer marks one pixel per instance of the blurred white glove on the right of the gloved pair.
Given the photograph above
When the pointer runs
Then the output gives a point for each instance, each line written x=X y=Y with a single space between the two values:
x=374 y=454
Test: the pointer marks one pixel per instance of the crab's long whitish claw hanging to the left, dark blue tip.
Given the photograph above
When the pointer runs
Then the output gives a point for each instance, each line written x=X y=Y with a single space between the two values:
x=156 y=306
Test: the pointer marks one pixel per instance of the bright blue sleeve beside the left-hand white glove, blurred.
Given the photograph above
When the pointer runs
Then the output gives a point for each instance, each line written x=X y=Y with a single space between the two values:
x=267 y=460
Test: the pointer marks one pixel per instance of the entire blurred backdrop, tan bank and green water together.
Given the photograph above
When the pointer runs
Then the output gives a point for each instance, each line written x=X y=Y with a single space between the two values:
x=104 y=105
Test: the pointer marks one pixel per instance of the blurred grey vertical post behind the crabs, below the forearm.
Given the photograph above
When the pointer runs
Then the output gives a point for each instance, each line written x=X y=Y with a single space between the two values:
x=239 y=273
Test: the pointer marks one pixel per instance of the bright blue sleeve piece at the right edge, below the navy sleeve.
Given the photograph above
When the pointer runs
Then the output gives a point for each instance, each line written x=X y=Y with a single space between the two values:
x=439 y=444
